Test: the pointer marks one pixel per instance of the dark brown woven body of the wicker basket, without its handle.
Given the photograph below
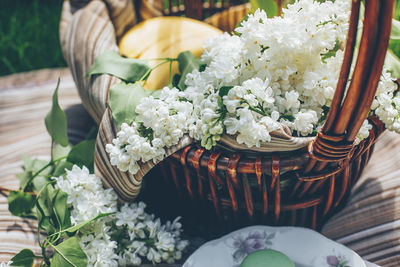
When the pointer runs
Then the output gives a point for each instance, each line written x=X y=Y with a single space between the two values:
x=268 y=188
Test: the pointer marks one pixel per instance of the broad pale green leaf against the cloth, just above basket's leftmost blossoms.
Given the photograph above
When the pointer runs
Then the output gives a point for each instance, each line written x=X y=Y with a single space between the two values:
x=124 y=98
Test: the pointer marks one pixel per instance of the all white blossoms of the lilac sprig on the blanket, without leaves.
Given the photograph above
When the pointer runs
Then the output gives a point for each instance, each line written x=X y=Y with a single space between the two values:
x=140 y=234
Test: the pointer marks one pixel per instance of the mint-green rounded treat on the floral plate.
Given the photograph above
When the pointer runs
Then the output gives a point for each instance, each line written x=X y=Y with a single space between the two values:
x=267 y=258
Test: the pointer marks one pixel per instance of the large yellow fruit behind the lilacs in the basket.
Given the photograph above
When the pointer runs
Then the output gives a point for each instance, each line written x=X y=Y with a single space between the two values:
x=165 y=37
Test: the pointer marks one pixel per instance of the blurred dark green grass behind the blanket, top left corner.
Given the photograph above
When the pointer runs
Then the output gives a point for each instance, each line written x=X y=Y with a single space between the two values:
x=29 y=35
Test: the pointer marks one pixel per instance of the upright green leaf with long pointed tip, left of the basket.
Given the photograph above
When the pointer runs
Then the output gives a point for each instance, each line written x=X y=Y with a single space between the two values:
x=56 y=121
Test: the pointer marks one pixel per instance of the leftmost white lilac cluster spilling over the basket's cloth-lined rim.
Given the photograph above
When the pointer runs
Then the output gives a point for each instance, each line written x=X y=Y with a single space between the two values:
x=163 y=122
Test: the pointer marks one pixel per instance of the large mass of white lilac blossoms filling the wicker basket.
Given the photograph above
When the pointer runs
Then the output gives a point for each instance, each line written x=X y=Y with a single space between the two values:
x=280 y=70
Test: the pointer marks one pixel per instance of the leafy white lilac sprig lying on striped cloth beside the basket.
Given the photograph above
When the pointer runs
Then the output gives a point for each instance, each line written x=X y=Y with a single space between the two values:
x=80 y=223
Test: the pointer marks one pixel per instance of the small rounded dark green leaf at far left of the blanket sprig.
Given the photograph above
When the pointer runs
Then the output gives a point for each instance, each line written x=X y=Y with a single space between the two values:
x=21 y=203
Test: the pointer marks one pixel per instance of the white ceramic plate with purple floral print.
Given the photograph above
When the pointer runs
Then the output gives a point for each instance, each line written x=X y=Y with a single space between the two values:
x=305 y=247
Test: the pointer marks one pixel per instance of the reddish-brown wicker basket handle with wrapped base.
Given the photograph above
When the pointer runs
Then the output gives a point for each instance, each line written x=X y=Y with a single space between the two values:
x=335 y=140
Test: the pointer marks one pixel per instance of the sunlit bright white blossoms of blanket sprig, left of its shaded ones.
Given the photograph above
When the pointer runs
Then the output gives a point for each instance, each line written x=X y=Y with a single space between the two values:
x=87 y=199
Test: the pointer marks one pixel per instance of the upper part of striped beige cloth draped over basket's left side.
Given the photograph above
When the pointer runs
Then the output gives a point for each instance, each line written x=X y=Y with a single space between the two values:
x=85 y=33
